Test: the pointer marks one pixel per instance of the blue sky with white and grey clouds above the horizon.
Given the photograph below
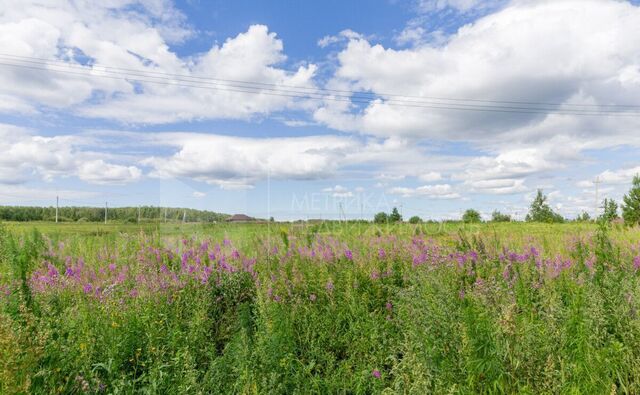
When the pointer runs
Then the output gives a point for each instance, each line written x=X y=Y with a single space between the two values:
x=333 y=109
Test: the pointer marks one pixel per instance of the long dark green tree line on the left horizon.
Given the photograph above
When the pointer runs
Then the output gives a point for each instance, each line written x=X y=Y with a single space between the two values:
x=96 y=214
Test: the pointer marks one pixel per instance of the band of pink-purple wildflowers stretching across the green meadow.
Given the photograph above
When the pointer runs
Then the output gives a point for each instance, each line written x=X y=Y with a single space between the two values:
x=154 y=270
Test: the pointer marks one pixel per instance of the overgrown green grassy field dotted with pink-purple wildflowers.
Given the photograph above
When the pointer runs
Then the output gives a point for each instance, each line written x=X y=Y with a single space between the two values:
x=323 y=308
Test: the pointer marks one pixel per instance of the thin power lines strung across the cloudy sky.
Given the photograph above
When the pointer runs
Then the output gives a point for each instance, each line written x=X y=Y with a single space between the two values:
x=319 y=95
